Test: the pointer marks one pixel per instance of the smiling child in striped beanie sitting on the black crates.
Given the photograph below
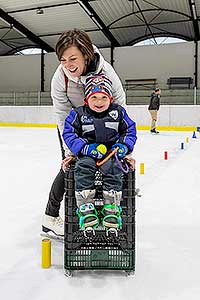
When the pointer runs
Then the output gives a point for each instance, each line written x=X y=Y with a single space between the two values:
x=97 y=122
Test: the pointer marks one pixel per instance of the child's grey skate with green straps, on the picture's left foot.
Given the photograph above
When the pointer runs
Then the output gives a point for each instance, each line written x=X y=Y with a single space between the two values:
x=88 y=219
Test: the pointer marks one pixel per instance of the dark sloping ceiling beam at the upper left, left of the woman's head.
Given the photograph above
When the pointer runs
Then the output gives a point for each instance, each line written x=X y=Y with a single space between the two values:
x=24 y=31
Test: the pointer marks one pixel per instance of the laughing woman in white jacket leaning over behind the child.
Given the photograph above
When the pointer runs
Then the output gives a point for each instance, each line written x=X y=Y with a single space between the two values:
x=78 y=58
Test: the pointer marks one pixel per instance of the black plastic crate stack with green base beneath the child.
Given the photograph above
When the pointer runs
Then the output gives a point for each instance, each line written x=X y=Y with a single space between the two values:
x=100 y=252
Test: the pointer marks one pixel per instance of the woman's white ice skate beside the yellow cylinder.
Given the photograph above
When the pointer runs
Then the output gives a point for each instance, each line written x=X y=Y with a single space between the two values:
x=53 y=225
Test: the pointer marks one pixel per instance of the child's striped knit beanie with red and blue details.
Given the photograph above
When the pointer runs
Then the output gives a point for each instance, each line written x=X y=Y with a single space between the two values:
x=97 y=84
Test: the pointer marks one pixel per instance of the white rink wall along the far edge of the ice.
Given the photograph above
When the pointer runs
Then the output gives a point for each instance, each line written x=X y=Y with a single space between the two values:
x=173 y=115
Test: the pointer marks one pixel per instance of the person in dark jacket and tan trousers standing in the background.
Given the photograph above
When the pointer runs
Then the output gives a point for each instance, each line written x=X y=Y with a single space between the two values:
x=153 y=108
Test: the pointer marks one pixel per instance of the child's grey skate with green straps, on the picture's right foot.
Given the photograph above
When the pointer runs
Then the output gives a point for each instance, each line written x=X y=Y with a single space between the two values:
x=112 y=220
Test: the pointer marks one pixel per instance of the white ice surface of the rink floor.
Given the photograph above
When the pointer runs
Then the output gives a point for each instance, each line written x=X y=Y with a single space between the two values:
x=167 y=216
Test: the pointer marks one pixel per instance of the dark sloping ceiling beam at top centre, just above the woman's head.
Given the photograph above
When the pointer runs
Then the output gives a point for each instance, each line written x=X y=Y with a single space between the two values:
x=97 y=20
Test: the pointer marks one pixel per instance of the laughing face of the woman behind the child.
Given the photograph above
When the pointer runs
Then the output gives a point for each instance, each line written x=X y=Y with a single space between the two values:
x=74 y=61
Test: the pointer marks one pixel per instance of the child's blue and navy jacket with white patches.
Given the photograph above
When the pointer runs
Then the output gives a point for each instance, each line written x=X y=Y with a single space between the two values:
x=84 y=126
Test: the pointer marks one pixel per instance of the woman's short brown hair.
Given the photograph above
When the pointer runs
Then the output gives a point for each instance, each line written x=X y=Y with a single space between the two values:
x=77 y=38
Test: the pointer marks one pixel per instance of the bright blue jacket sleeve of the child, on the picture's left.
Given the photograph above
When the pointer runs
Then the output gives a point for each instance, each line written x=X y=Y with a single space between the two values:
x=72 y=133
